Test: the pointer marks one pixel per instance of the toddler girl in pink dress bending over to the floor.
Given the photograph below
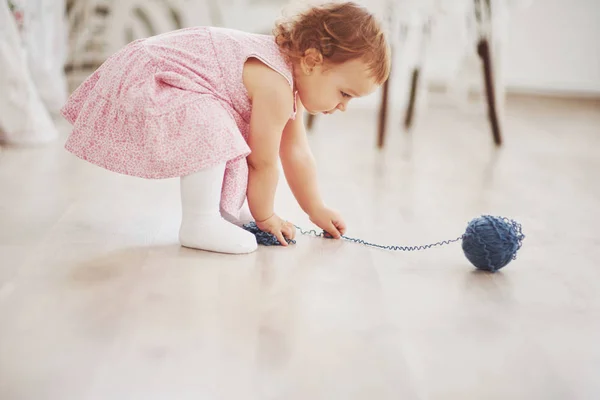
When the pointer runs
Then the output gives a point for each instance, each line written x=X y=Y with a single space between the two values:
x=218 y=108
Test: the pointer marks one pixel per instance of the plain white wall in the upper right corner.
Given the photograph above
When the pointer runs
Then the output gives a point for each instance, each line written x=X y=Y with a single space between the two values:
x=554 y=46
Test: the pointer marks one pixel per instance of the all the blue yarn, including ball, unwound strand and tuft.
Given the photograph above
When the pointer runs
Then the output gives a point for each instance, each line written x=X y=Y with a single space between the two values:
x=489 y=243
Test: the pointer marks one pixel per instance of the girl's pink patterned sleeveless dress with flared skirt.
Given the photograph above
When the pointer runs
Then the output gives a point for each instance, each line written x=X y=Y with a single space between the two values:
x=173 y=104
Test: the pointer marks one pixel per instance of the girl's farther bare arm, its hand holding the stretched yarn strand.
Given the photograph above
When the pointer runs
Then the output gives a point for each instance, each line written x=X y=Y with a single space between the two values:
x=301 y=174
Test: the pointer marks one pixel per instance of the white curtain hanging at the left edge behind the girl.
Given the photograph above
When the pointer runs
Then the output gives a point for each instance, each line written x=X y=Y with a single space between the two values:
x=31 y=77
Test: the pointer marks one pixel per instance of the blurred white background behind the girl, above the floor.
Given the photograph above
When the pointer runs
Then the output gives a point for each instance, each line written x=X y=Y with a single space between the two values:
x=534 y=47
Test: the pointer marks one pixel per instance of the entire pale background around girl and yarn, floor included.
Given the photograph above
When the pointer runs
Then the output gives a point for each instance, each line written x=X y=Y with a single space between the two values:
x=493 y=107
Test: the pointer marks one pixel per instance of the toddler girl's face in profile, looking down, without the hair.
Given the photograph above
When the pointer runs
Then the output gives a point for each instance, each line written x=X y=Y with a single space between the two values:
x=324 y=88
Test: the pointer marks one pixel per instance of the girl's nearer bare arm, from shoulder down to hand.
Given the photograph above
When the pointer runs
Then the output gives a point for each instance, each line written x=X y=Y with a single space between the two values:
x=272 y=102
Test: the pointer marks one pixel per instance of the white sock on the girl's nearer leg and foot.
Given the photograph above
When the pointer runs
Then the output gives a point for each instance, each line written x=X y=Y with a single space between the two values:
x=202 y=226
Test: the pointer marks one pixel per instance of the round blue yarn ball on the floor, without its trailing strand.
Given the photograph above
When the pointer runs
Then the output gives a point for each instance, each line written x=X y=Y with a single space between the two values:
x=490 y=243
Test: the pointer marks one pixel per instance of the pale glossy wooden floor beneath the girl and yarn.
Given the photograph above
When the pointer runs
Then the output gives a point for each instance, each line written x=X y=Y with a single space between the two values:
x=98 y=301
